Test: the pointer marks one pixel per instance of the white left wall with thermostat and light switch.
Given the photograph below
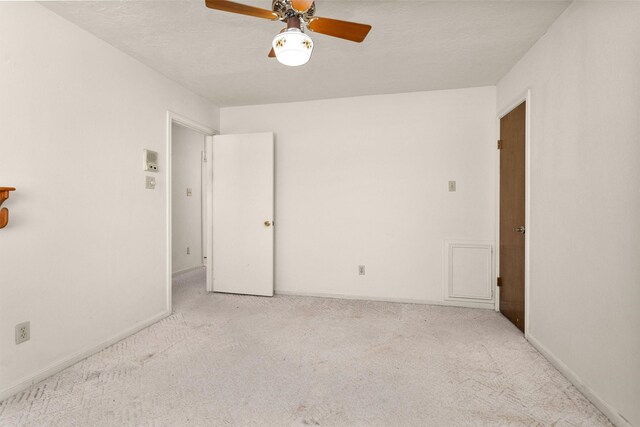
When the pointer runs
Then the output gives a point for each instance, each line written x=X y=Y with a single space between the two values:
x=84 y=255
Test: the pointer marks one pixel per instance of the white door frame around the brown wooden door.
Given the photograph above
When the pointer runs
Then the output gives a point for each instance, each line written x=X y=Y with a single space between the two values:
x=523 y=97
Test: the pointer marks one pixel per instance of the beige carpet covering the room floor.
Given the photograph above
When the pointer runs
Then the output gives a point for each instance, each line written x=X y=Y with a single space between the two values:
x=228 y=360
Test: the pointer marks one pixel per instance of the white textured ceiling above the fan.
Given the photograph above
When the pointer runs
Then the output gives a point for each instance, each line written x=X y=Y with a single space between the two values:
x=413 y=46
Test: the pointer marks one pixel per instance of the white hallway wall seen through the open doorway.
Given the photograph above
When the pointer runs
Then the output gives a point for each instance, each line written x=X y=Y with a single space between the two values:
x=186 y=212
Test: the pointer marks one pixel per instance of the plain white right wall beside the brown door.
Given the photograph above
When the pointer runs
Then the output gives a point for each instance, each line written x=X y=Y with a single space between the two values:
x=584 y=77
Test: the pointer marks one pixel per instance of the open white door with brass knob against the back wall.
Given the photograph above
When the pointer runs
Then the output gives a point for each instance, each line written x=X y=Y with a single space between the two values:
x=243 y=214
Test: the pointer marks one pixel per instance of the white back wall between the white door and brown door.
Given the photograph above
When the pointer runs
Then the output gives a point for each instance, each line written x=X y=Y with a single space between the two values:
x=364 y=181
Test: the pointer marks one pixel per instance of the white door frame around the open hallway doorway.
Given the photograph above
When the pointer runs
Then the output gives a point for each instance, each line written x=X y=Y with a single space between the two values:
x=175 y=118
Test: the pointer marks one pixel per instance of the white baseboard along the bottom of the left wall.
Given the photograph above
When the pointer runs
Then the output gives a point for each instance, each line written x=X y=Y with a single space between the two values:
x=64 y=363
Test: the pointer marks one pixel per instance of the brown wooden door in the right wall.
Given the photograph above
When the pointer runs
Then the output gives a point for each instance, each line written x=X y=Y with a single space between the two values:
x=512 y=209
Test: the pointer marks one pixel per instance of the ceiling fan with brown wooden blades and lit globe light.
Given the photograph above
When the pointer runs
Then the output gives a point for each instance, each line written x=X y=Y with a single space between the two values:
x=292 y=46
